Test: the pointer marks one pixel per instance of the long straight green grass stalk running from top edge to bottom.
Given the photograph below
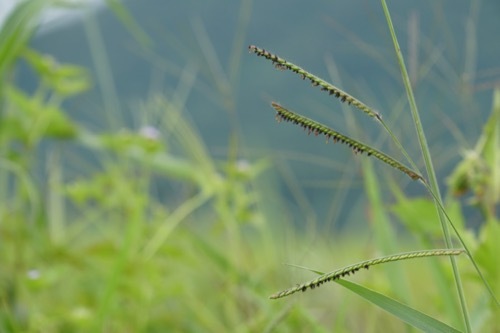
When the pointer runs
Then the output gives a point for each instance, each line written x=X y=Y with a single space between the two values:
x=428 y=165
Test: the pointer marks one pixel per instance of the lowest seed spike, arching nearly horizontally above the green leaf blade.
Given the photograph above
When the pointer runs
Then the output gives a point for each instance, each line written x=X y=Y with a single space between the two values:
x=351 y=269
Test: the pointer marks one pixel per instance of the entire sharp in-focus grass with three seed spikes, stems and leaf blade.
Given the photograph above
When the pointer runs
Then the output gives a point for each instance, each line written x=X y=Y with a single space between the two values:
x=317 y=128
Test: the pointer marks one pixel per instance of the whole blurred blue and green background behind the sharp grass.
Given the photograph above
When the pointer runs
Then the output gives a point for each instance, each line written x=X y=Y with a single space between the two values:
x=188 y=230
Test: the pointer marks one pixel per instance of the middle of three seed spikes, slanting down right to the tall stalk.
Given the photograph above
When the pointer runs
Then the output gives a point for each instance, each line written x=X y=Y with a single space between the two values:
x=312 y=126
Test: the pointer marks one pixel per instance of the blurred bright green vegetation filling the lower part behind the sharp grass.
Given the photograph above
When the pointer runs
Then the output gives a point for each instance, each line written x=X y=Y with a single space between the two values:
x=95 y=248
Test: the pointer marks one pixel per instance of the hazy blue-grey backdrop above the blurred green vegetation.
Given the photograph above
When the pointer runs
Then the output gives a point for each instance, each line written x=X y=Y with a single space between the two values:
x=451 y=48
